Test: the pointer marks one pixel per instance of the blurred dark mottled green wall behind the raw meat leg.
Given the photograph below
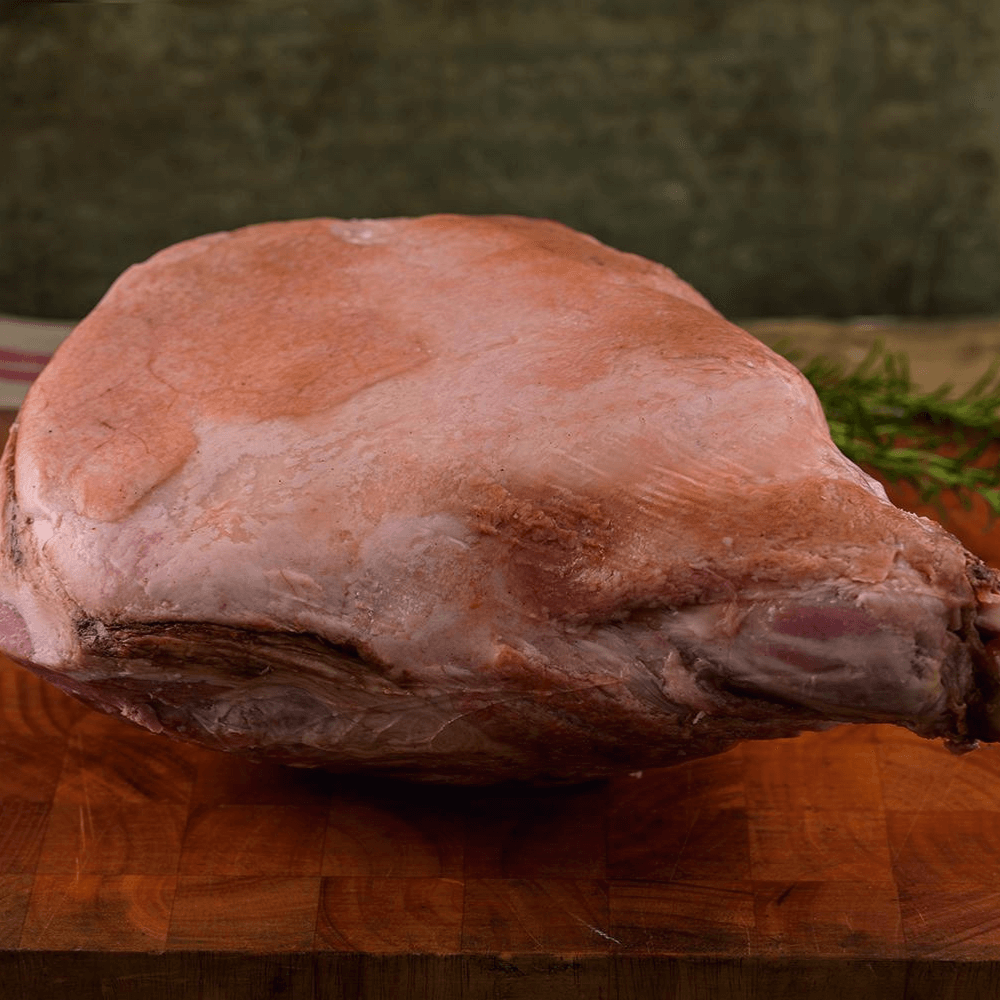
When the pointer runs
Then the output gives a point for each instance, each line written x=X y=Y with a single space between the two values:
x=786 y=156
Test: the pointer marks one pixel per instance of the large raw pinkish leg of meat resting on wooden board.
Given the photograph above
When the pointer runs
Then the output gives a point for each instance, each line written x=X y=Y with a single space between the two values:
x=463 y=499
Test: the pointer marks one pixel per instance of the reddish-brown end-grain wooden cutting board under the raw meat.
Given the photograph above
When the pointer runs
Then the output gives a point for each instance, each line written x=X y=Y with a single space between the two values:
x=862 y=861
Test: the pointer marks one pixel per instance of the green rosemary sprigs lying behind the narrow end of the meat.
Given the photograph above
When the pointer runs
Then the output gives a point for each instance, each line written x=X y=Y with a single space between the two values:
x=880 y=419
